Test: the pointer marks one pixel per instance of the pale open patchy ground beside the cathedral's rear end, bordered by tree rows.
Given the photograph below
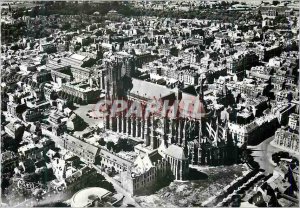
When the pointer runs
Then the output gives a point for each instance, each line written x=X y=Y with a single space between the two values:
x=210 y=181
